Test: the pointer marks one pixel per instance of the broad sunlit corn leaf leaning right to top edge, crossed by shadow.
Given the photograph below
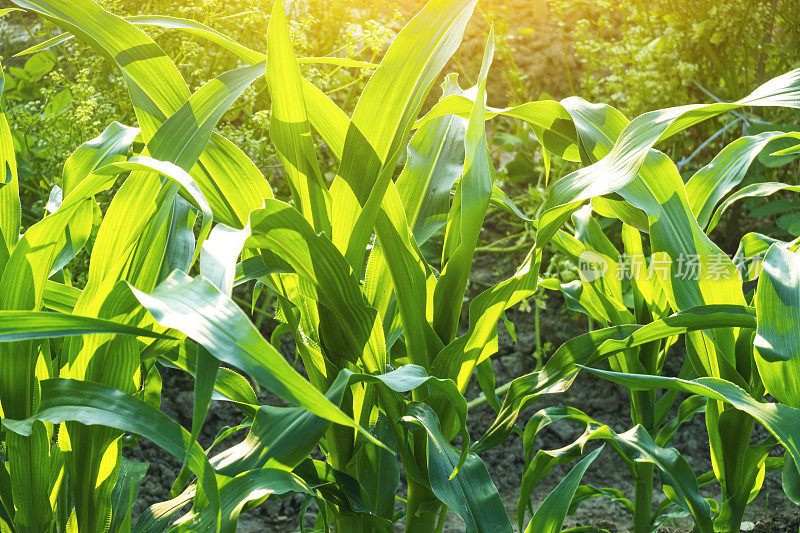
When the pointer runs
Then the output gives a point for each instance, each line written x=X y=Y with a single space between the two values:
x=383 y=118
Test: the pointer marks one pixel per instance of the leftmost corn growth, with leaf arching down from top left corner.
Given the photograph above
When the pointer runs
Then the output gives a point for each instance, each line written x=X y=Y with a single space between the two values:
x=73 y=484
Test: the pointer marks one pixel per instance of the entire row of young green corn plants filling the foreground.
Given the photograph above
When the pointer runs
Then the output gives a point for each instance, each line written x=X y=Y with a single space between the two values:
x=385 y=366
